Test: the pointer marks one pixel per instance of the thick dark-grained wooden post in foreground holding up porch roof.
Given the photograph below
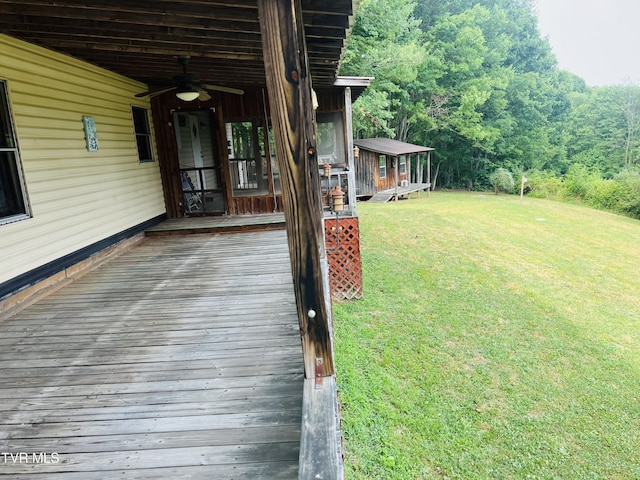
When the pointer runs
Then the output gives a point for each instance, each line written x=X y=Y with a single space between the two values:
x=292 y=116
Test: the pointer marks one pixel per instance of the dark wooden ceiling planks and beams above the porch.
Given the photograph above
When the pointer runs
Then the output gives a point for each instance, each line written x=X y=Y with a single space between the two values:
x=142 y=39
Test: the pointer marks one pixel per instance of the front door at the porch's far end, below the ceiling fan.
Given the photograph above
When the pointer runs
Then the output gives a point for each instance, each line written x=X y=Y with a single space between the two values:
x=202 y=187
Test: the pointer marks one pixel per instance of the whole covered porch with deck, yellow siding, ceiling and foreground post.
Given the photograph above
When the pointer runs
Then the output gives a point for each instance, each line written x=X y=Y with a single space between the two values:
x=95 y=95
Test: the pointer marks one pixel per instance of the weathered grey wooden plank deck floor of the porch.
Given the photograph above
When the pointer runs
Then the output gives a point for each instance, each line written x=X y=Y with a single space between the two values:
x=179 y=359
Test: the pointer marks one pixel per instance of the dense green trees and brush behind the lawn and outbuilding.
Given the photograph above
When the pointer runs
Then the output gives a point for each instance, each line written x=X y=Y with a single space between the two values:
x=476 y=80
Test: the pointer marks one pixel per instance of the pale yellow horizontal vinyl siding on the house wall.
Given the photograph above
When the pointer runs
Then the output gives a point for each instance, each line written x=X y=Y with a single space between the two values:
x=77 y=197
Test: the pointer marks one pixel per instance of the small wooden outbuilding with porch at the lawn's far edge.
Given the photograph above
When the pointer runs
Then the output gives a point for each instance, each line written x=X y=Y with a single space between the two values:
x=387 y=168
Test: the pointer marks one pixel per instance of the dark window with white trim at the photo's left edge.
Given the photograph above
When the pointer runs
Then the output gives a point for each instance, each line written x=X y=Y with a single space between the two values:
x=13 y=199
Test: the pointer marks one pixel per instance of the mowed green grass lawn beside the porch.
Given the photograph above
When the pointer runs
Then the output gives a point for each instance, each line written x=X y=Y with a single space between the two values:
x=496 y=340
